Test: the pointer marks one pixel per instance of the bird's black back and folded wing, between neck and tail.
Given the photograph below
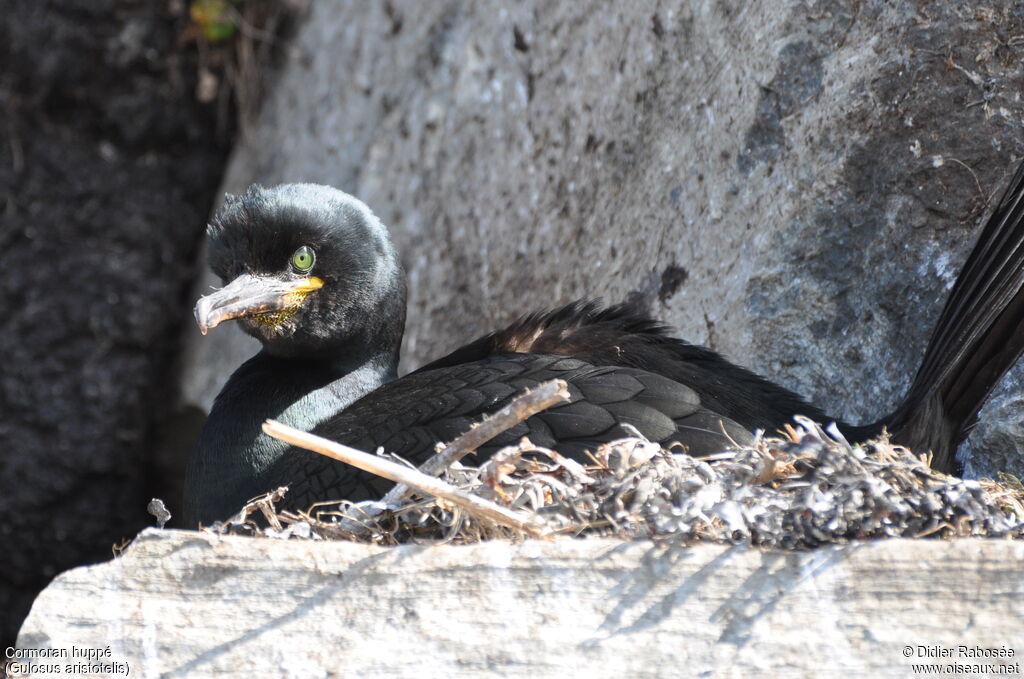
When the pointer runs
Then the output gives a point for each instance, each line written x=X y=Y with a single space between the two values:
x=622 y=369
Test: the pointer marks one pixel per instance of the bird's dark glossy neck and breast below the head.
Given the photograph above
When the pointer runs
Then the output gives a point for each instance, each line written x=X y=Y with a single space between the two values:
x=233 y=451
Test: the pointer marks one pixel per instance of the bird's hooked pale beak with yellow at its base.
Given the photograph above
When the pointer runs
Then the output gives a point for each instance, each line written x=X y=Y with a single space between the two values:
x=252 y=295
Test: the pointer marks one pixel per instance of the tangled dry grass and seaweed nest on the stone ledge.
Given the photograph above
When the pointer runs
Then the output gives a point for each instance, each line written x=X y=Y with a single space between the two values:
x=808 y=490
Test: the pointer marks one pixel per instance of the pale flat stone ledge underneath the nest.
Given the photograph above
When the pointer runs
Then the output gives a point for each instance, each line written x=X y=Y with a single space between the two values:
x=183 y=604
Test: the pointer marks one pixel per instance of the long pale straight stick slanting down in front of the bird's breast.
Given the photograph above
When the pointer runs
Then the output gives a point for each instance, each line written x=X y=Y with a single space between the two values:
x=429 y=485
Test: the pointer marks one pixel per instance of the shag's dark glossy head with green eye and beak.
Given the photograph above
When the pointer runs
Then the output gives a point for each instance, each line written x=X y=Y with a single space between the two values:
x=309 y=271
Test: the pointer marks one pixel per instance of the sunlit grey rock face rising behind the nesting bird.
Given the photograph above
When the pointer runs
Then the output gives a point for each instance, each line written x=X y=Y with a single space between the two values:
x=794 y=184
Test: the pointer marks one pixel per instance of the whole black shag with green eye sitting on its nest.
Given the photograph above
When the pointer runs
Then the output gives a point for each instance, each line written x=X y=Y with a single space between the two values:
x=312 y=274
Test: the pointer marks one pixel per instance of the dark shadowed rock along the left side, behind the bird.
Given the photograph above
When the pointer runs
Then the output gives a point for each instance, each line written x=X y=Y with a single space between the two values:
x=108 y=169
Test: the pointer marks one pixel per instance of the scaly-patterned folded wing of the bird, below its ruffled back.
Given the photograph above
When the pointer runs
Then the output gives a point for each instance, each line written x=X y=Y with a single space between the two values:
x=408 y=417
